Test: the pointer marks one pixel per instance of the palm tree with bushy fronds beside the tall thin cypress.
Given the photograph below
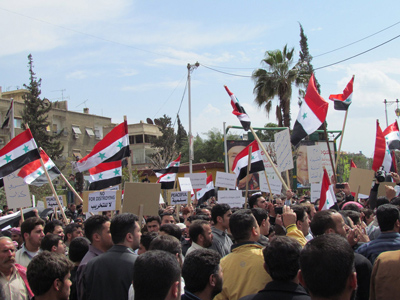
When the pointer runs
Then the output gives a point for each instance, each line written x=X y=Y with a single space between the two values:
x=276 y=80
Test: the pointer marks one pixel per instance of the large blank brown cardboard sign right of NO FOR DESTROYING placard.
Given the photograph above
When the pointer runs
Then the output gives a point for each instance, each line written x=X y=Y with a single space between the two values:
x=136 y=194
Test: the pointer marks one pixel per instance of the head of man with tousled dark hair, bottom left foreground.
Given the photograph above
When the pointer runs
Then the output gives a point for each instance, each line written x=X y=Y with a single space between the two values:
x=49 y=276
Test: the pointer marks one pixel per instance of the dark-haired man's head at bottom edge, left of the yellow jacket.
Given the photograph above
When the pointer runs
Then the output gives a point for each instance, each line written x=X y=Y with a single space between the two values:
x=202 y=274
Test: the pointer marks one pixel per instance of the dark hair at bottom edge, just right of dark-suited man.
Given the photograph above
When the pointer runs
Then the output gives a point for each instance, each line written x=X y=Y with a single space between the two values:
x=154 y=273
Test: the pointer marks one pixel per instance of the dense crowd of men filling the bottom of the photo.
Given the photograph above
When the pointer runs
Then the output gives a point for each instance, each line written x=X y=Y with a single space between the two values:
x=278 y=247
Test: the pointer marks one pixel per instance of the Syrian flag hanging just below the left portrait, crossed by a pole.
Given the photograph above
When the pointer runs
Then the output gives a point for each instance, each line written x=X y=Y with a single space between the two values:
x=239 y=166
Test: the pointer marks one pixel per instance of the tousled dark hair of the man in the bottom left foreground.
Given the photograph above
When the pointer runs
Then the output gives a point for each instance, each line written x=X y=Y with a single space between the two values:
x=46 y=267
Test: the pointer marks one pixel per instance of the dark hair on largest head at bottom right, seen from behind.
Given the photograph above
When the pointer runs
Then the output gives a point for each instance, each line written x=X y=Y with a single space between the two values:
x=326 y=262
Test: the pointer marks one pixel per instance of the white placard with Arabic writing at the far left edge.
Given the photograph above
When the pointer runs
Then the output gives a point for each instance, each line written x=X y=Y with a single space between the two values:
x=17 y=191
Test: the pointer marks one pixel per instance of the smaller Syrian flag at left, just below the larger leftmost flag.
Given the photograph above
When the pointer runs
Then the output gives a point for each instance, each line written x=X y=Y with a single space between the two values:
x=34 y=174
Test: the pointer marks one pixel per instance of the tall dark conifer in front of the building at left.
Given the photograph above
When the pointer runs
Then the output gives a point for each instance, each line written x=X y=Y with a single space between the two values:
x=35 y=114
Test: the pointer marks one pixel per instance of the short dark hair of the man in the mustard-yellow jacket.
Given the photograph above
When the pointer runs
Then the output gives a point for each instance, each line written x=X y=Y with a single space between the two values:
x=241 y=223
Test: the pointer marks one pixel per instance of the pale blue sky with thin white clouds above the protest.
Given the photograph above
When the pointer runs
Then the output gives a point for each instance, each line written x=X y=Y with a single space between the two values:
x=127 y=57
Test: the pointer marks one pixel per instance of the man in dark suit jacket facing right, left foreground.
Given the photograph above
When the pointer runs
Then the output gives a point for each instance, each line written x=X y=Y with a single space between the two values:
x=117 y=263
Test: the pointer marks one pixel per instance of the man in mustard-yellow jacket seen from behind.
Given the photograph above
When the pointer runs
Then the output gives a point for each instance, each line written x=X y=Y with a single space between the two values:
x=243 y=268
